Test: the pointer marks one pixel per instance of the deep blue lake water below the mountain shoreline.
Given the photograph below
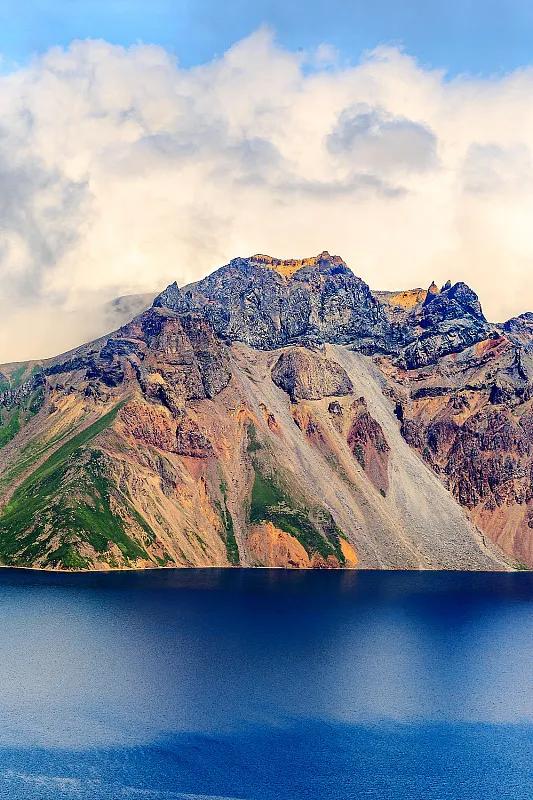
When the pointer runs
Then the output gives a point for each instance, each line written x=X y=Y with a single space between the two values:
x=266 y=685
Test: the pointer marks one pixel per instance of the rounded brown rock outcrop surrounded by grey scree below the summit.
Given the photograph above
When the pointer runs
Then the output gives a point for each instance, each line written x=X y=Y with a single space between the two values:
x=308 y=375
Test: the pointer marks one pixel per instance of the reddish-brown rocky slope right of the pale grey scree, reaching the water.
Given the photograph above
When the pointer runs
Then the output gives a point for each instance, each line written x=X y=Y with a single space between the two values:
x=469 y=417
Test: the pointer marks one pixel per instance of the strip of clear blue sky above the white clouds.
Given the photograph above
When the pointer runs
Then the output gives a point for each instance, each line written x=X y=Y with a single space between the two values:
x=482 y=37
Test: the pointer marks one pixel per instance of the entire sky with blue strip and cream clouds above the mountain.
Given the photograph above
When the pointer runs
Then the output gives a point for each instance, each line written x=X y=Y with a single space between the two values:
x=142 y=142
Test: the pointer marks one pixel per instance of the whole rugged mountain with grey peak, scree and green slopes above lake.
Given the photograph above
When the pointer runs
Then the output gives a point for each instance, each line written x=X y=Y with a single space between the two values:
x=276 y=413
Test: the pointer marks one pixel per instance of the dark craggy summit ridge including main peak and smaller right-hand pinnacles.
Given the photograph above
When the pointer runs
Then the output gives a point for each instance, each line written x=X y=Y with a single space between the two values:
x=268 y=303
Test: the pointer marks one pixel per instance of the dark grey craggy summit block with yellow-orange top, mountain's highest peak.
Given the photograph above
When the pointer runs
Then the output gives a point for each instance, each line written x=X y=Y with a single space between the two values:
x=268 y=303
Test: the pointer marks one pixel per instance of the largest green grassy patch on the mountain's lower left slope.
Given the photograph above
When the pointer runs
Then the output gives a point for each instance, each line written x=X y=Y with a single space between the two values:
x=63 y=511
